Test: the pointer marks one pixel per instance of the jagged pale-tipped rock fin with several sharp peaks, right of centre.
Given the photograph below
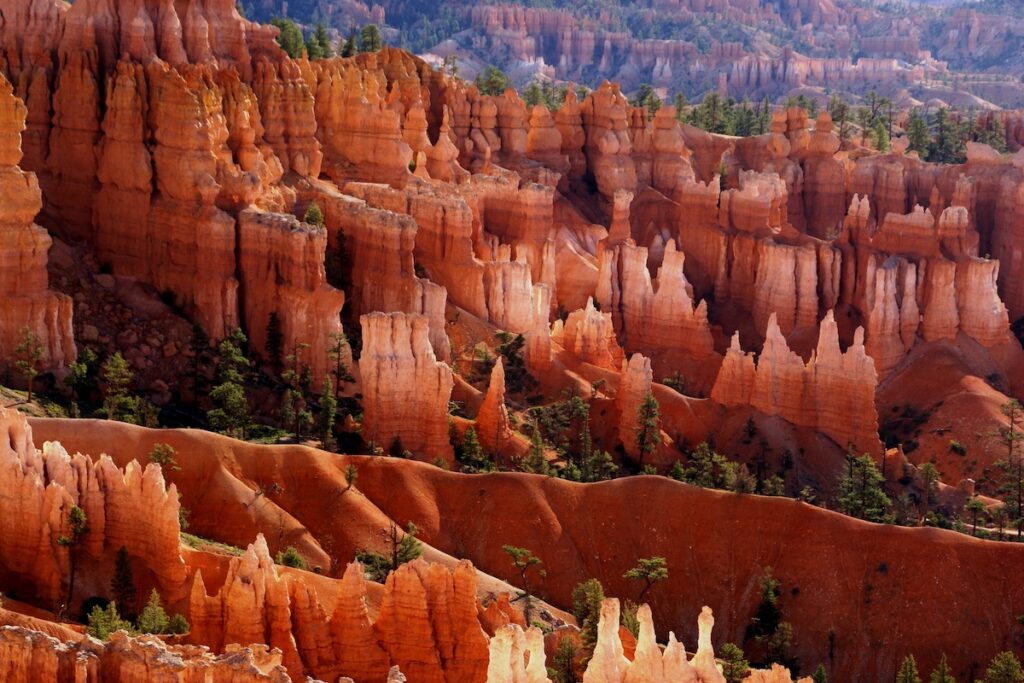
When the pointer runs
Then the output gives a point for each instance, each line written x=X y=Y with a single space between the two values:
x=834 y=393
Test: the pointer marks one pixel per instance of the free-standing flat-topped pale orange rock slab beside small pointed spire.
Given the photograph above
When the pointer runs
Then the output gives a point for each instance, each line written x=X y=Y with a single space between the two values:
x=406 y=391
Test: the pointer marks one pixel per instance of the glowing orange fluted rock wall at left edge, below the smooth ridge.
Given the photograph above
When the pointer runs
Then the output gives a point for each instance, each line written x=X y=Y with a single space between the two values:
x=38 y=489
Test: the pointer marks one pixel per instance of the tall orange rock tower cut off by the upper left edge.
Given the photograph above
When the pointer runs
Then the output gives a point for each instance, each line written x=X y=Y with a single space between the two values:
x=24 y=251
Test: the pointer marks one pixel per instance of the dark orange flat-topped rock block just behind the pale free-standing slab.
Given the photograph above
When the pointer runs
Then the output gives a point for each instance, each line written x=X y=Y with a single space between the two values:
x=282 y=266
